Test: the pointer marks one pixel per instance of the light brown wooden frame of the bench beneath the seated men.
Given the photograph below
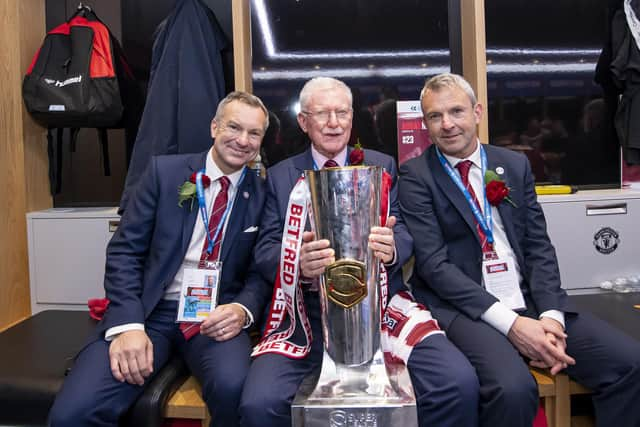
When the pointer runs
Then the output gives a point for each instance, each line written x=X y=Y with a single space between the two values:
x=555 y=392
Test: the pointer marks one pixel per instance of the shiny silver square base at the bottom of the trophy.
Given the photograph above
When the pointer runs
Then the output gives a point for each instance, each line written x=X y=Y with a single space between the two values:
x=342 y=396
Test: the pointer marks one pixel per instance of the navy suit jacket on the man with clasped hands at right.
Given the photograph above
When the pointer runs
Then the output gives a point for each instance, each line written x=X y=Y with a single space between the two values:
x=447 y=275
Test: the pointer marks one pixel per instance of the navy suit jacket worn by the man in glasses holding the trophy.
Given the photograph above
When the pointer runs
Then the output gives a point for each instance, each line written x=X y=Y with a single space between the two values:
x=281 y=178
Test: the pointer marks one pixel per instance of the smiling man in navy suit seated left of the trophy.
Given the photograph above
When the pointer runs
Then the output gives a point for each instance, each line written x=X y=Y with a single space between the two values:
x=156 y=242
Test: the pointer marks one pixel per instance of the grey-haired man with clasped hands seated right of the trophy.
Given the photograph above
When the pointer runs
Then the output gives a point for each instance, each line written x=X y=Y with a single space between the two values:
x=486 y=268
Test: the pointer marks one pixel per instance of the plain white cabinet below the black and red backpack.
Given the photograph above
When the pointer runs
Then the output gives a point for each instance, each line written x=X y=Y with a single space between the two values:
x=67 y=255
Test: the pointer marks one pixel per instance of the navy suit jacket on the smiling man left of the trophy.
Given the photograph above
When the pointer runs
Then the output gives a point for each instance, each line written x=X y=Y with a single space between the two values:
x=149 y=246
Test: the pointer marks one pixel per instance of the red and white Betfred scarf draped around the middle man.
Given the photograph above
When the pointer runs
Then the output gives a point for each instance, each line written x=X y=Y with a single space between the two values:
x=403 y=324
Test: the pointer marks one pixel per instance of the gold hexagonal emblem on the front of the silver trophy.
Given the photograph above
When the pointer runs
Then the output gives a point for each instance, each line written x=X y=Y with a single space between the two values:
x=346 y=282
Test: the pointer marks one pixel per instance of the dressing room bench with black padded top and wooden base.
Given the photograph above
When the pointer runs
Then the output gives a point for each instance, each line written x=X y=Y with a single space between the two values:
x=37 y=352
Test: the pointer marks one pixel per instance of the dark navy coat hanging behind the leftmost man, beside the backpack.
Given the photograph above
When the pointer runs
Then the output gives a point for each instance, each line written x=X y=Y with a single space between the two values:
x=185 y=86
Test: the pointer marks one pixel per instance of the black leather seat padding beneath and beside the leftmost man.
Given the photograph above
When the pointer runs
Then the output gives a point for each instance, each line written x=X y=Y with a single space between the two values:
x=35 y=355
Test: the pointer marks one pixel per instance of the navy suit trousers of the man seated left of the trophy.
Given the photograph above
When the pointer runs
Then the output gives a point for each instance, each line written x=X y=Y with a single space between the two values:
x=91 y=396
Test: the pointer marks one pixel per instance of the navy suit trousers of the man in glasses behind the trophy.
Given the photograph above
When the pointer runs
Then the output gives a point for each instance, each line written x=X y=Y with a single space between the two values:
x=445 y=384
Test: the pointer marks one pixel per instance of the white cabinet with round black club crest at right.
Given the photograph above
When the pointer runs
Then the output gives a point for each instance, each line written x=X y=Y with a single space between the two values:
x=596 y=235
